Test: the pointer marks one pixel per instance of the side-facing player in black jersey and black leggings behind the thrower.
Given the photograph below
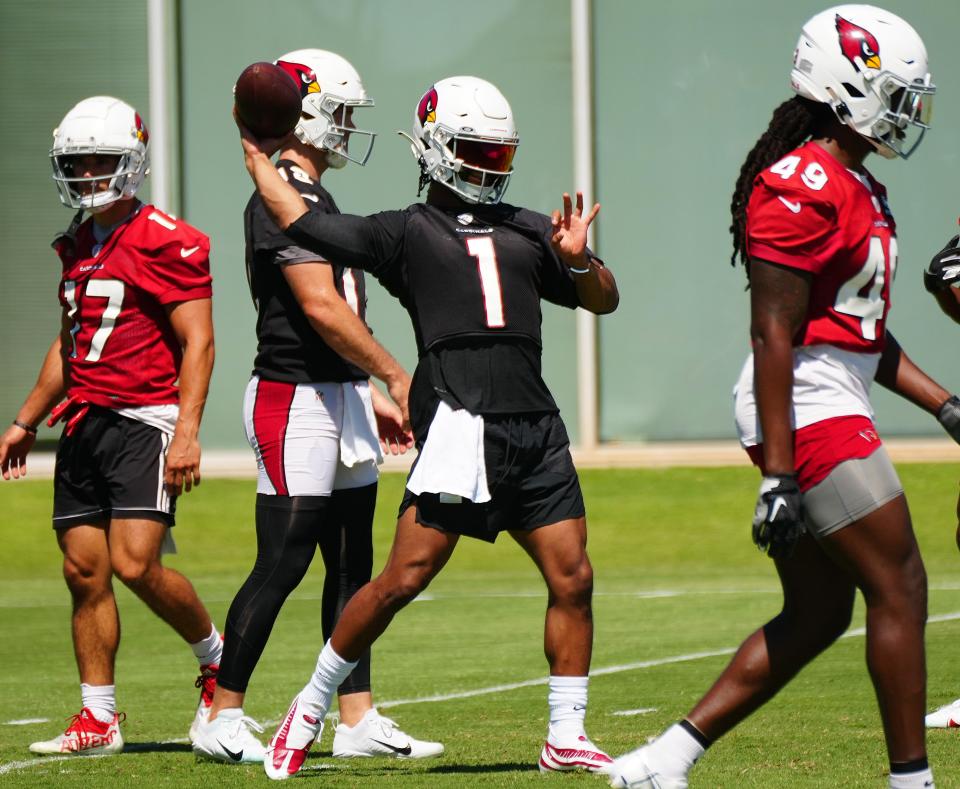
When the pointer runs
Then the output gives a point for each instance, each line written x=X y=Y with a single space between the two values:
x=309 y=417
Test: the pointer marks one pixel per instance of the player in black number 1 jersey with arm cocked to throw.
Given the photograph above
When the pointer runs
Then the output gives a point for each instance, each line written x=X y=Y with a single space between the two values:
x=493 y=452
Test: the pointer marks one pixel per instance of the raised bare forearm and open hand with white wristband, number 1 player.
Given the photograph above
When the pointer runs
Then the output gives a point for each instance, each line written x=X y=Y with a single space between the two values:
x=596 y=286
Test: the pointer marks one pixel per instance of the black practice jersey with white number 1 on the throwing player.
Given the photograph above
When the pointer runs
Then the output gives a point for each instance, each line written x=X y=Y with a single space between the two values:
x=472 y=278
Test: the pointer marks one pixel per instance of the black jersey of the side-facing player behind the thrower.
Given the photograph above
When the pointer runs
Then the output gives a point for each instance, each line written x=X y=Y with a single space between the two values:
x=288 y=348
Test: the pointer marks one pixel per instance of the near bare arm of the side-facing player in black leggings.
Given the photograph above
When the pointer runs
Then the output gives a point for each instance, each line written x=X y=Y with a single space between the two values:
x=331 y=317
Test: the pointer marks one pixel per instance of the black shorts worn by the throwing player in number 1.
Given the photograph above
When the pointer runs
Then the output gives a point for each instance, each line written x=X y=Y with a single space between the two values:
x=530 y=475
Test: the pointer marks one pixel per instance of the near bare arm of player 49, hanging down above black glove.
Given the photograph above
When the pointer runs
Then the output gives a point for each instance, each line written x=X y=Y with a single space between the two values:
x=778 y=306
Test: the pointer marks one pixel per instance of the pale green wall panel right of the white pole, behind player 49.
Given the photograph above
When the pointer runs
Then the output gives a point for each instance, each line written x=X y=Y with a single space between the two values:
x=683 y=92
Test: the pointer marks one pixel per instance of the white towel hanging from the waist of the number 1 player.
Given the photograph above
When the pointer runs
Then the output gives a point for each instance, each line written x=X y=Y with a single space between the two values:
x=452 y=460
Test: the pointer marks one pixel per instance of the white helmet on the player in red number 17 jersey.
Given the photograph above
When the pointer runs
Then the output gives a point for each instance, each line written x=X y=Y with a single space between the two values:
x=106 y=126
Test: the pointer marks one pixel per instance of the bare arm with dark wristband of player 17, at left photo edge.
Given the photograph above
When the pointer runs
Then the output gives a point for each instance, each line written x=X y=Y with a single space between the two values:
x=18 y=439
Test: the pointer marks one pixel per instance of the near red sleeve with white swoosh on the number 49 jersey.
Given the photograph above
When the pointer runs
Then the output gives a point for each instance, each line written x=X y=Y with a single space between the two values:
x=790 y=225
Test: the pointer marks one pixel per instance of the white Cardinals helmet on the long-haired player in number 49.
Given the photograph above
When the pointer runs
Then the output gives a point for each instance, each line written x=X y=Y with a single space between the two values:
x=871 y=67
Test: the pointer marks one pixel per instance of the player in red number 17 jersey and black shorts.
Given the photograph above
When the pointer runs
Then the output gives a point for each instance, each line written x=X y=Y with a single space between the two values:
x=135 y=292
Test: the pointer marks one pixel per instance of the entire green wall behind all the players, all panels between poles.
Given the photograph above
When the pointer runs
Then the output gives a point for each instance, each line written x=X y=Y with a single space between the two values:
x=682 y=91
